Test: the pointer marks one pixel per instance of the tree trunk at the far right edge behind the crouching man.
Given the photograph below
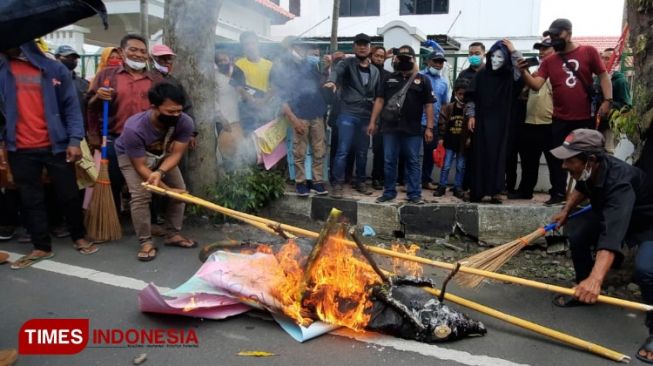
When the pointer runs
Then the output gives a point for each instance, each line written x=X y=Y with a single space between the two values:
x=640 y=21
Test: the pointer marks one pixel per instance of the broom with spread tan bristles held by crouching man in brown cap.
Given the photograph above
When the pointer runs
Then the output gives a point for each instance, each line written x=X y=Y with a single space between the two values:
x=492 y=259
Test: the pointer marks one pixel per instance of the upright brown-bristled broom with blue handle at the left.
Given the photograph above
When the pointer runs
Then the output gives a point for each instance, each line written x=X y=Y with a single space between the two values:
x=101 y=220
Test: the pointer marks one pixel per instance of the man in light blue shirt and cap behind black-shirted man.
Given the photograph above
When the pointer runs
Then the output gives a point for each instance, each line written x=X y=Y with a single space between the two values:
x=434 y=73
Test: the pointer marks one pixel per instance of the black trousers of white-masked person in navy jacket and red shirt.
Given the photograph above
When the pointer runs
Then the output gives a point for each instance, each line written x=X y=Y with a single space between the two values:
x=27 y=166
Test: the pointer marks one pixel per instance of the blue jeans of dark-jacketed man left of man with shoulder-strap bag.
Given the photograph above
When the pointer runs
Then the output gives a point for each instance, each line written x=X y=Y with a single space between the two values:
x=352 y=133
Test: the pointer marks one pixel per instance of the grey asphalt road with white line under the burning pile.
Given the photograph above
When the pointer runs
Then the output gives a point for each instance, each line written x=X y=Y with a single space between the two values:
x=55 y=292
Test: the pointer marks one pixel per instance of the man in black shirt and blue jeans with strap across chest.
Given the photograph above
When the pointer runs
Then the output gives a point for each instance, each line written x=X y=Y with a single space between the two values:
x=404 y=133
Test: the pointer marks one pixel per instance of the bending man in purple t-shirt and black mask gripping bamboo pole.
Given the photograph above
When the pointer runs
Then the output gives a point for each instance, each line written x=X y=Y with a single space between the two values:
x=149 y=150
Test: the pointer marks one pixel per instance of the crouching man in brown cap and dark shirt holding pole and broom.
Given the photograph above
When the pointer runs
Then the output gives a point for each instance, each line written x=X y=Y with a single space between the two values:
x=622 y=212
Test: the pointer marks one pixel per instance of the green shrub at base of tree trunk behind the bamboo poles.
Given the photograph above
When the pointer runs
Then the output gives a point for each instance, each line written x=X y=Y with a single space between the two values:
x=248 y=190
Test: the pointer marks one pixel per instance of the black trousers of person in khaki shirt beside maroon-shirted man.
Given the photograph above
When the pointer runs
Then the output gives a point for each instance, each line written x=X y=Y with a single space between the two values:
x=535 y=140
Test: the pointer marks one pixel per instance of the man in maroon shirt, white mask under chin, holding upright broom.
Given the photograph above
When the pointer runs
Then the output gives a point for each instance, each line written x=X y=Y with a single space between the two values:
x=127 y=95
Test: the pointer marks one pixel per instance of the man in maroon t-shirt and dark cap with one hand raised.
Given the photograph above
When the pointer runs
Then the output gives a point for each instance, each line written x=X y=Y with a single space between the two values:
x=570 y=72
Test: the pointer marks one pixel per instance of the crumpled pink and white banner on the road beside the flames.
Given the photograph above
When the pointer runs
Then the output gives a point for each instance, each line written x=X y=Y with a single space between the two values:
x=228 y=284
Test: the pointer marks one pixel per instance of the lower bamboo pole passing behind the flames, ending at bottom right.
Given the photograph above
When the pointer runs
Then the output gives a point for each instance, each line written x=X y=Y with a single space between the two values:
x=525 y=324
